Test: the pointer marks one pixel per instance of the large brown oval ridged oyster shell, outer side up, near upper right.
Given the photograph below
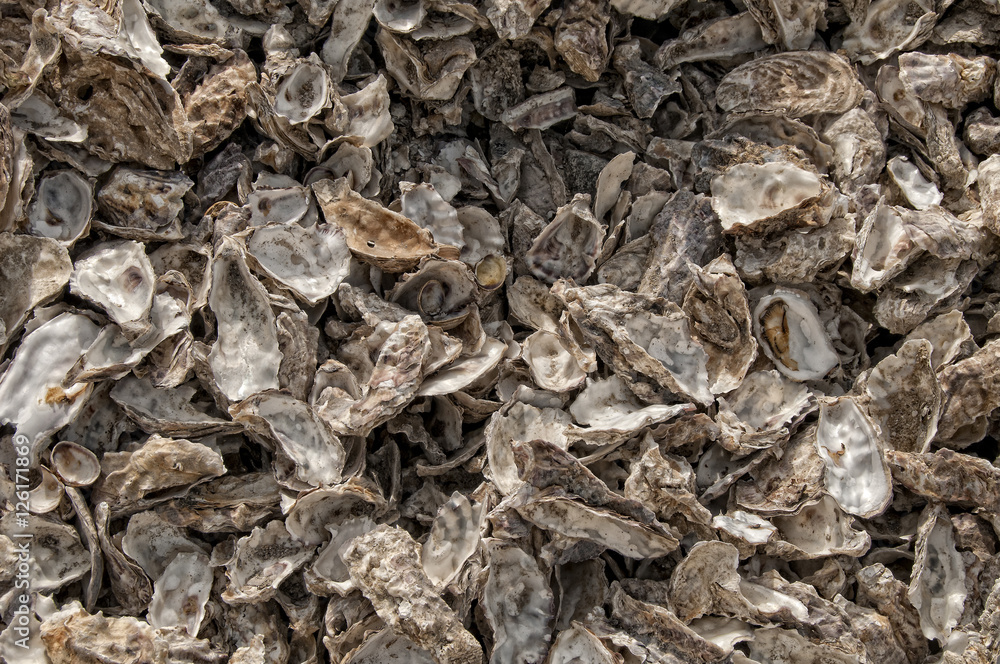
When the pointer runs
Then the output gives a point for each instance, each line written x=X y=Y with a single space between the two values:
x=798 y=83
